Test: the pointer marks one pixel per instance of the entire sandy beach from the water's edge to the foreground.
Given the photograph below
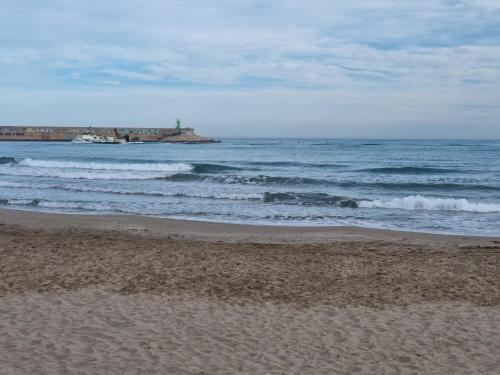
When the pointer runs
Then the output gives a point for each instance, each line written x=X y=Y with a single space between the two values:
x=82 y=294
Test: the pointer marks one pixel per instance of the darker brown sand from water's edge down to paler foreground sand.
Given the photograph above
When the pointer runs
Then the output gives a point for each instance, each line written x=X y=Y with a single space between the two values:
x=246 y=264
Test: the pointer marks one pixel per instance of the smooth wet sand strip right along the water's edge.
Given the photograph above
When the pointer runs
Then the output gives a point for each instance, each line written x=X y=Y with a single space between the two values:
x=224 y=231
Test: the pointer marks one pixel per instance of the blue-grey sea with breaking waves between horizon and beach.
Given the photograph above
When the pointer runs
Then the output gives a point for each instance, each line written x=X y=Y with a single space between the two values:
x=444 y=186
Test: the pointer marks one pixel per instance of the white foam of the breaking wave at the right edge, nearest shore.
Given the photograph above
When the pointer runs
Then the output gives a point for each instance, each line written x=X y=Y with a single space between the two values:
x=418 y=202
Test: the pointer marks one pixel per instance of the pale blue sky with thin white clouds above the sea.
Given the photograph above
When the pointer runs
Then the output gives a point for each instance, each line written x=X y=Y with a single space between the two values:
x=254 y=68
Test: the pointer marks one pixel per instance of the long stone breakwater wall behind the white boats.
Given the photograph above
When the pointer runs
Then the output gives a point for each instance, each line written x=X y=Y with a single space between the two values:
x=54 y=133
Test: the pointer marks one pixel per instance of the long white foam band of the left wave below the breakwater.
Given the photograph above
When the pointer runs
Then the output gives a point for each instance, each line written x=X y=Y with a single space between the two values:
x=141 y=167
